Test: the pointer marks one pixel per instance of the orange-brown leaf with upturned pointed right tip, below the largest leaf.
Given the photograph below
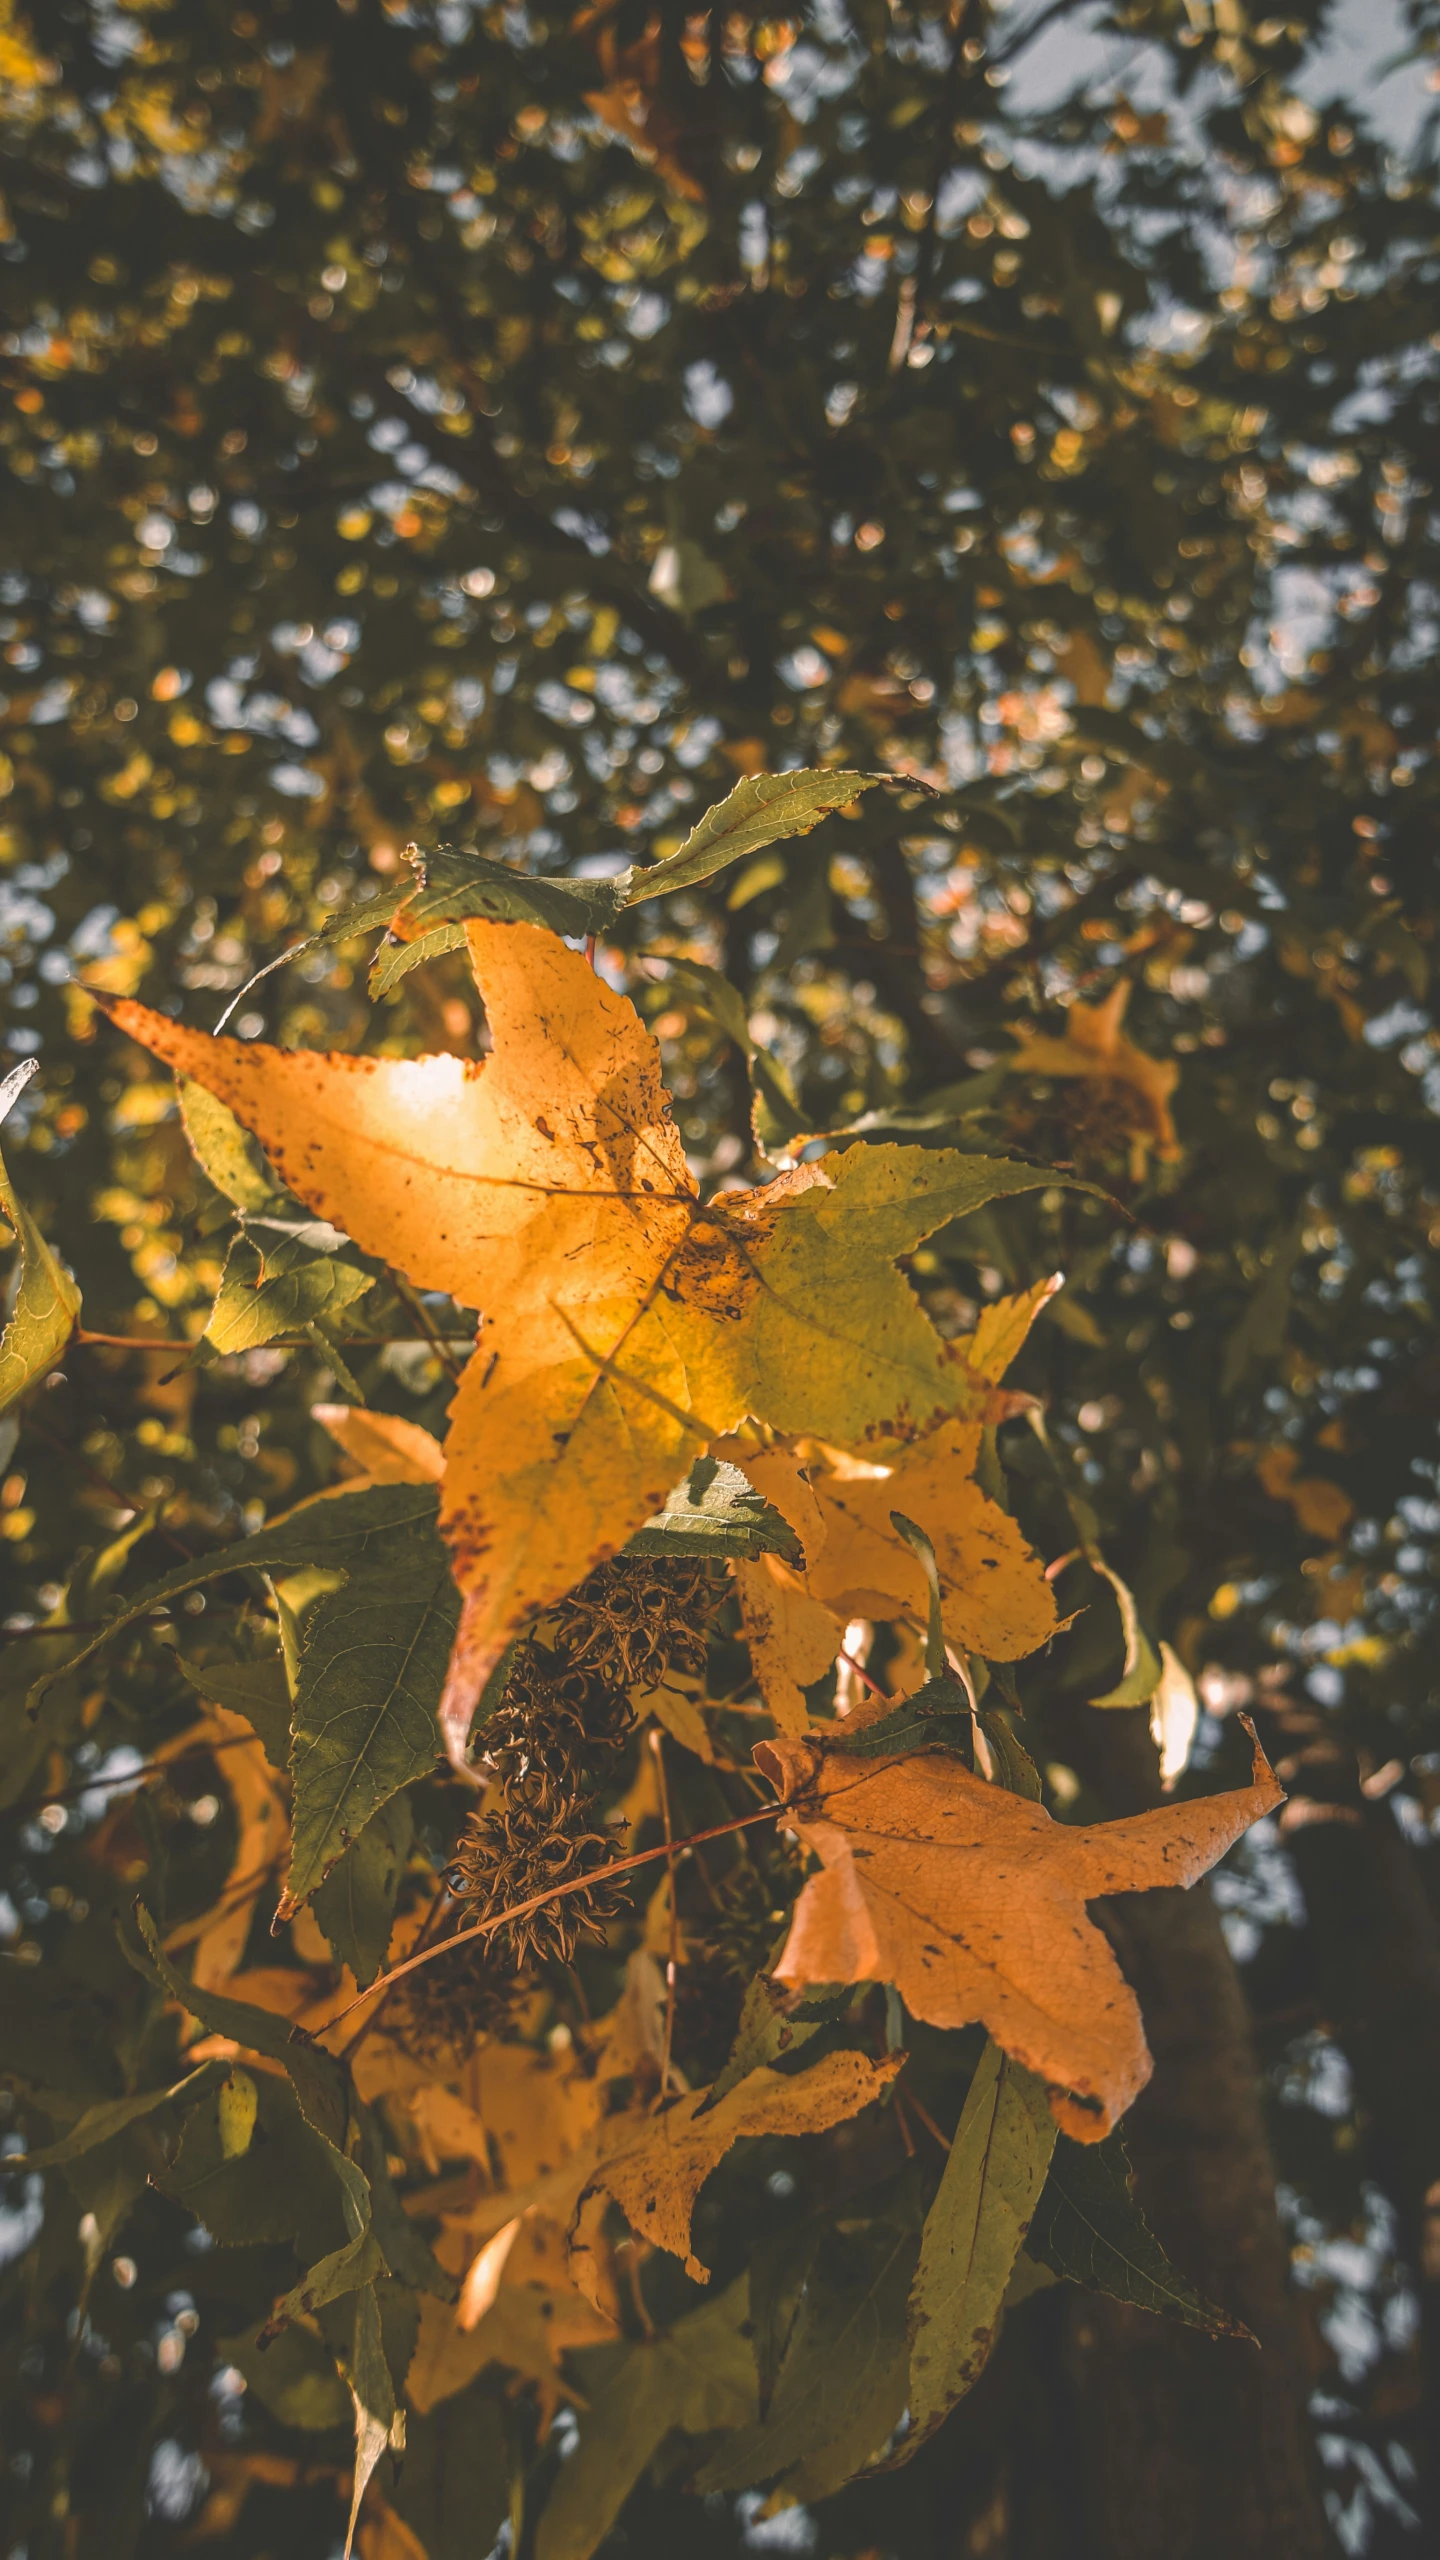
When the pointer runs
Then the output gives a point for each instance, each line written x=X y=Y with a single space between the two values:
x=972 y=1903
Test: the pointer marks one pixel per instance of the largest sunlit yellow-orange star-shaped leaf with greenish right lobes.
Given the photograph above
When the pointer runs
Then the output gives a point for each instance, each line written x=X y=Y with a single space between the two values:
x=626 y=1325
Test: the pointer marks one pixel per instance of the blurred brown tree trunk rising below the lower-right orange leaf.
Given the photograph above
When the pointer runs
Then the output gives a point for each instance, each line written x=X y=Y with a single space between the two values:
x=1190 y=2449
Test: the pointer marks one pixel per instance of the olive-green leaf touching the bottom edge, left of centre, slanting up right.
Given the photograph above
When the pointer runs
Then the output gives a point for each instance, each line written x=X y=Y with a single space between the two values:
x=696 y=2380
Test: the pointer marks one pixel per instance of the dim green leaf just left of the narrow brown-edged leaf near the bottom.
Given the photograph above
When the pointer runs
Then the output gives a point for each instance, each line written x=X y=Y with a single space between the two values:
x=842 y=2382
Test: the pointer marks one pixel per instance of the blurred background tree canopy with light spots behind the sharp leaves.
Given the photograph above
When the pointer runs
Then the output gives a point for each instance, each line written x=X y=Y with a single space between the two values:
x=509 y=429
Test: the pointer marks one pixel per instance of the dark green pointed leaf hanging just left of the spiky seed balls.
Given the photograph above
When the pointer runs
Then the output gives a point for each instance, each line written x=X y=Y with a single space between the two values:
x=373 y=1668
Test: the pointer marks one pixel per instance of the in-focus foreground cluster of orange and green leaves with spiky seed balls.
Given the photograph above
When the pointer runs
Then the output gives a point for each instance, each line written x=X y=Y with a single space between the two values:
x=778 y=1307
